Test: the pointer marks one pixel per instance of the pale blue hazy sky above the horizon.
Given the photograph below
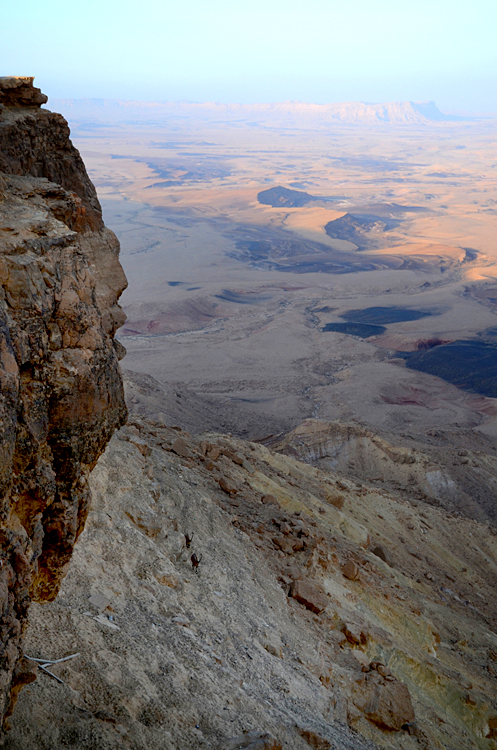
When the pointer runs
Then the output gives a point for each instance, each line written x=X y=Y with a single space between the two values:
x=257 y=50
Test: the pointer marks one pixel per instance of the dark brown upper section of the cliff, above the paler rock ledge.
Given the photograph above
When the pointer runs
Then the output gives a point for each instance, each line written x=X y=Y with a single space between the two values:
x=36 y=141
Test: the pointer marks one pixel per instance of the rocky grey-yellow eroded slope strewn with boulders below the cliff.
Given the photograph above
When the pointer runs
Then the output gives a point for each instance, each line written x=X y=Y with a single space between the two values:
x=324 y=612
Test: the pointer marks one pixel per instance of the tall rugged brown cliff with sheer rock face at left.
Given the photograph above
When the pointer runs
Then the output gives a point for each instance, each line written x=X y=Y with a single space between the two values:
x=61 y=390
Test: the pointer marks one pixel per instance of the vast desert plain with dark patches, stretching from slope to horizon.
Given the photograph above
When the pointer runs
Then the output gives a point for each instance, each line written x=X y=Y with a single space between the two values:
x=229 y=297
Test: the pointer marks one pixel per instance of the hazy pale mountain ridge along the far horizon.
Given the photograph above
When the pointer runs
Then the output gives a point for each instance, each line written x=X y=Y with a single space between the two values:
x=354 y=113
